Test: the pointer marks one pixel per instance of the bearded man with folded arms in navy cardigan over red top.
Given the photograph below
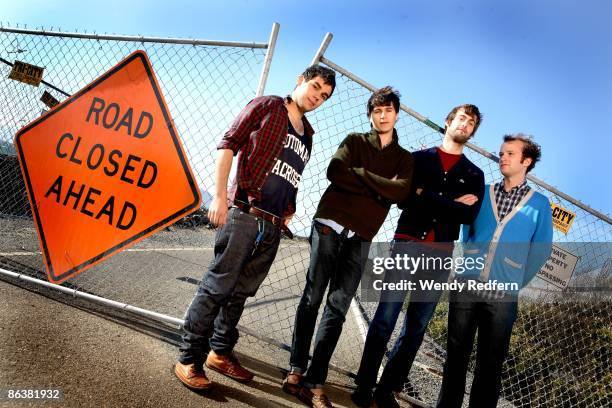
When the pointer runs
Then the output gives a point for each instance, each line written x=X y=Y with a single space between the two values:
x=447 y=190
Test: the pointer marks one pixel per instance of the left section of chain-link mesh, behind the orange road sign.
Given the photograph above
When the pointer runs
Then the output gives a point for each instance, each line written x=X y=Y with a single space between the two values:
x=204 y=85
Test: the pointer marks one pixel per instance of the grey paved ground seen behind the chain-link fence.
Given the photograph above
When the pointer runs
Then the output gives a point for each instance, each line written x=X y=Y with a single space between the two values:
x=161 y=273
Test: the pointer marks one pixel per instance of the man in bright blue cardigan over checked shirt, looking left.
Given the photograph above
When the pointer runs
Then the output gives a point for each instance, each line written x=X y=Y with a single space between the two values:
x=511 y=237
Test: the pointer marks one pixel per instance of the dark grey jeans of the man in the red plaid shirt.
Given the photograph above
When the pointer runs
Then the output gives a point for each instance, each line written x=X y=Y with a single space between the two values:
x=236 y=272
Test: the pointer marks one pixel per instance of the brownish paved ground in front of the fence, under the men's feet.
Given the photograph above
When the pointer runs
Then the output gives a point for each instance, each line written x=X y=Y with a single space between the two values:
x=95 y=361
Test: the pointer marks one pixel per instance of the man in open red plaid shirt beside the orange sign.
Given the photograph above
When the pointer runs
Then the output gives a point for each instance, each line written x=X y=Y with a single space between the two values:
x=272 y=139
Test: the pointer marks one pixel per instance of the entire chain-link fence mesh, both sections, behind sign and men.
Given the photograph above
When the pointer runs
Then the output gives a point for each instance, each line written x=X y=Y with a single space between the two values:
x=560 y=350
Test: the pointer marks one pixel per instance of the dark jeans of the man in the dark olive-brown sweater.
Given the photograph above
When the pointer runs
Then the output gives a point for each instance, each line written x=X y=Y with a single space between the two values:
x=335 y=260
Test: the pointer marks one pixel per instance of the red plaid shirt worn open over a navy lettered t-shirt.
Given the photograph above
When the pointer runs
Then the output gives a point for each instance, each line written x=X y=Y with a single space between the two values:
x=258 y=135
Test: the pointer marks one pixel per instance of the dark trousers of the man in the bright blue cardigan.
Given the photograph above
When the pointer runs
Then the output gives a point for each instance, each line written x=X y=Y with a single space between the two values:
x=494 y=320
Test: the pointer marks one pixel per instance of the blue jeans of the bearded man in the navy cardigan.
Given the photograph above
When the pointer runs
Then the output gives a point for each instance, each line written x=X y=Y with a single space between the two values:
x=418 y=314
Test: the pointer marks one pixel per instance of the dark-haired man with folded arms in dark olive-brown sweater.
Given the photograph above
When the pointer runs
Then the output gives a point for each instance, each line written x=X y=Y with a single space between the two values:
x=368 y=173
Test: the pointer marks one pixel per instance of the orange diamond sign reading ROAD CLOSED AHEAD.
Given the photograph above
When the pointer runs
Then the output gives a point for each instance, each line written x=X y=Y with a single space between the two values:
x=104 y=169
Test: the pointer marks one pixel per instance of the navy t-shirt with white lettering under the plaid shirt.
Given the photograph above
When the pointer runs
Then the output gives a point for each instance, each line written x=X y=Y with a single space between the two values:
x=280 y=187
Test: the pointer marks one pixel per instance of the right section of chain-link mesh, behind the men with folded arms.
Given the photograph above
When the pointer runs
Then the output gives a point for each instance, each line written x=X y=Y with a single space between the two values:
x=560 y=347
